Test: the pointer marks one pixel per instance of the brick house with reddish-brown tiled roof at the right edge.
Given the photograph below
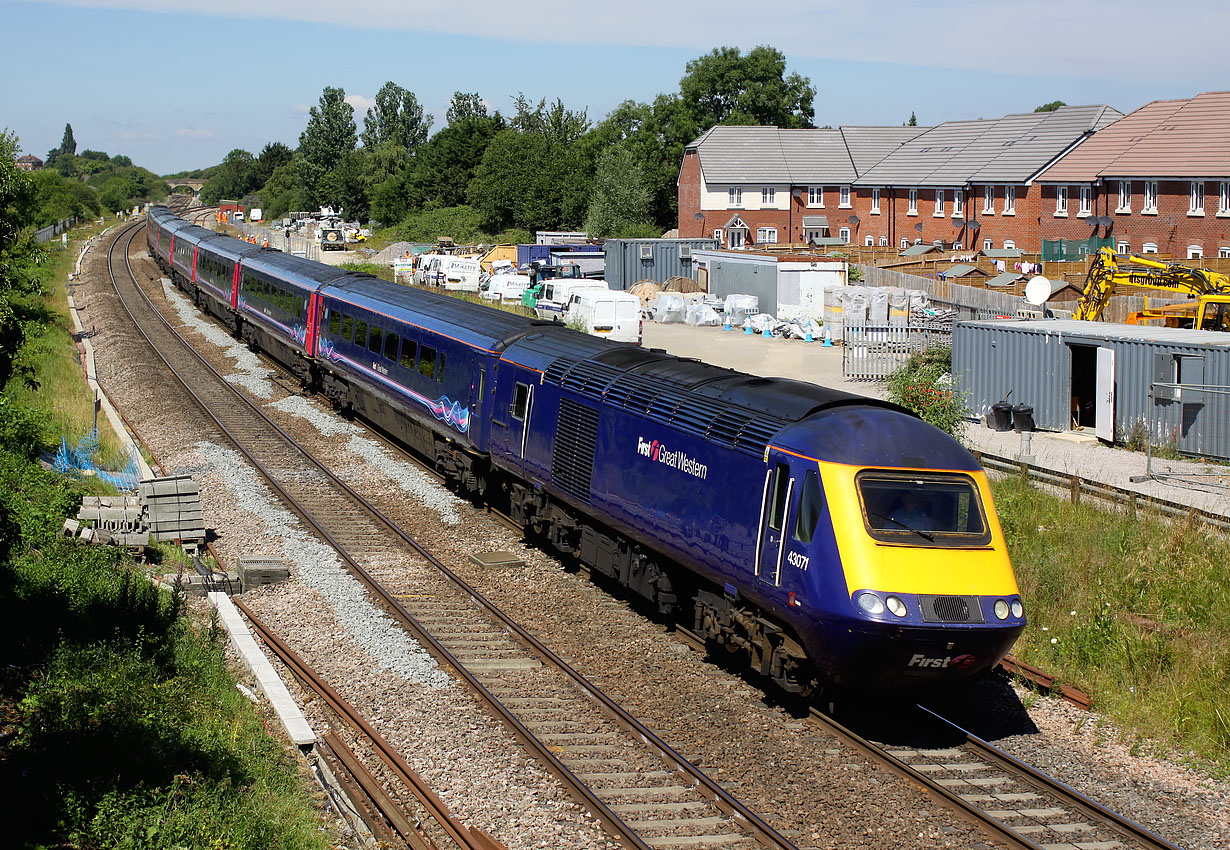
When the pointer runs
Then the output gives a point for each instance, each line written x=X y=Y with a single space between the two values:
x=1157 y=181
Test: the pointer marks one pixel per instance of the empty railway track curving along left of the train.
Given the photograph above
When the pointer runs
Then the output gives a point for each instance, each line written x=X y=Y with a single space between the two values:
x=633 y=783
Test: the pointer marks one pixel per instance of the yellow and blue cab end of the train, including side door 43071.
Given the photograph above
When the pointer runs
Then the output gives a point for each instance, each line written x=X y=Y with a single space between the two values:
x=880 y=546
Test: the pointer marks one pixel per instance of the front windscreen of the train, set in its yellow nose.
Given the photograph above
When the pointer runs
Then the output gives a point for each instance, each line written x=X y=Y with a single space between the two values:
x=939 y=510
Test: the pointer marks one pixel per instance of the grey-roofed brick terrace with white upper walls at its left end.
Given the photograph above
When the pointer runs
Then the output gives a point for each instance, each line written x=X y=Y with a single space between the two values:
x=969 y=183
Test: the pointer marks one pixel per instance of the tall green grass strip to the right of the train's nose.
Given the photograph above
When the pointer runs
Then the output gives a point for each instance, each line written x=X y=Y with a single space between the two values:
x=1133 y=611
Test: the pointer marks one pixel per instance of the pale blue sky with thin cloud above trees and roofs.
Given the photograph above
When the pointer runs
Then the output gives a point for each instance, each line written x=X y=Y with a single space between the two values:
x=179 y=87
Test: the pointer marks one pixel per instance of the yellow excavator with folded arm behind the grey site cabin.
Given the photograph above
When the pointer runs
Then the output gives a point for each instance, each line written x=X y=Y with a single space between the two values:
x=1210 y=311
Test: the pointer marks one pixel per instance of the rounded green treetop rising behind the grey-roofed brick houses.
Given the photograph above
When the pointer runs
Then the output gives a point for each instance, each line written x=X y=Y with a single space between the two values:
x=728 y=88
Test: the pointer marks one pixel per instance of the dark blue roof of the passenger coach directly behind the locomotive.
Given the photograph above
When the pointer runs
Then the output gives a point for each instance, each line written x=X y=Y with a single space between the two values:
x=472 y=324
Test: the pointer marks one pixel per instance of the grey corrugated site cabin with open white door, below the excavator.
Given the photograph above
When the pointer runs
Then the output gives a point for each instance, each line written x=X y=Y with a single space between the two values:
x=1170 y=383
